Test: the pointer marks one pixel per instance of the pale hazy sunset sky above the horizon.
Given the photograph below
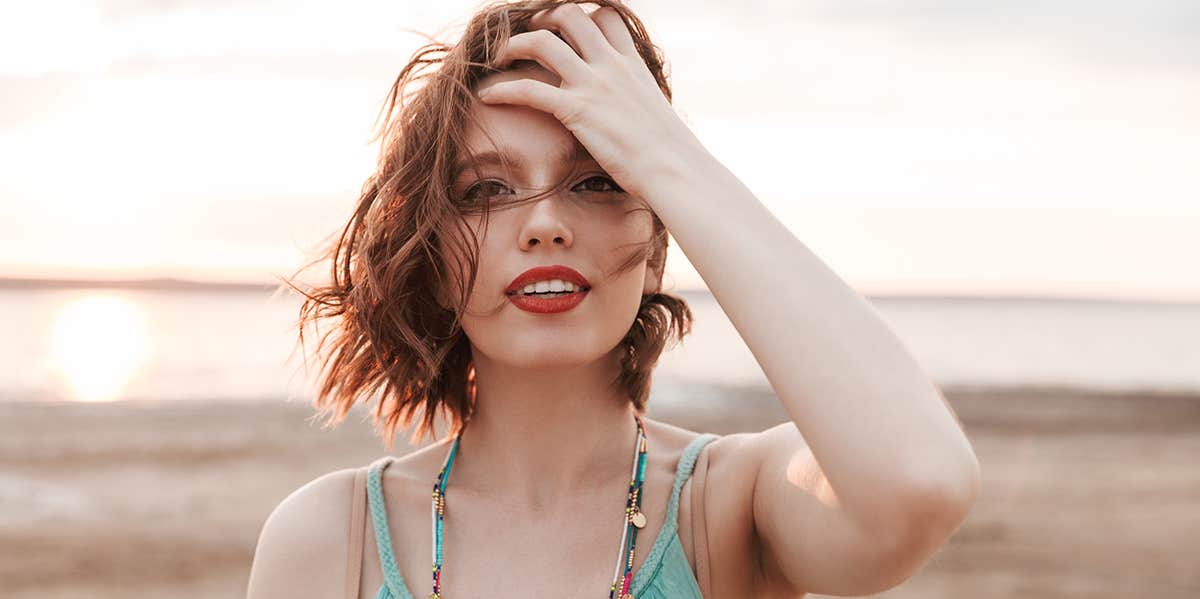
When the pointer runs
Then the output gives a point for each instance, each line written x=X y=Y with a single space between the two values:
x=919 y=147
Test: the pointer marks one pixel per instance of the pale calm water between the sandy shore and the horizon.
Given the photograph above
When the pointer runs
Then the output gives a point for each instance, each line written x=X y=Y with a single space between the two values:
x=110 y=345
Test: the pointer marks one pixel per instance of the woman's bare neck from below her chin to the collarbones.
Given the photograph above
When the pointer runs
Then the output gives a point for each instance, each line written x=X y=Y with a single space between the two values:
x=541 y=436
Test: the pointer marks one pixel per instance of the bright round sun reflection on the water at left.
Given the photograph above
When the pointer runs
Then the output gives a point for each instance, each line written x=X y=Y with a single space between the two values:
x=98 y=344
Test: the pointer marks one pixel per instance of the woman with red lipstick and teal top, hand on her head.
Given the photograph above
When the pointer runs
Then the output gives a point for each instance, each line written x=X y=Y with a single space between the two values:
x=505 y=271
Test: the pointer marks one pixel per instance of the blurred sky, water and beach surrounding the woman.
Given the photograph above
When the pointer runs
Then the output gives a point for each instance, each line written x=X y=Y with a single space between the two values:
x=1015 y=185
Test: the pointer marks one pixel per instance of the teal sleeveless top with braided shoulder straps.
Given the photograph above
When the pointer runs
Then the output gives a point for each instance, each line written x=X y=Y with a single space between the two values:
x=665 y=574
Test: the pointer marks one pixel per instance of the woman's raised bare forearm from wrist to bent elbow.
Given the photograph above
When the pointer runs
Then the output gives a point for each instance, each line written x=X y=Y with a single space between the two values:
x=873 y=420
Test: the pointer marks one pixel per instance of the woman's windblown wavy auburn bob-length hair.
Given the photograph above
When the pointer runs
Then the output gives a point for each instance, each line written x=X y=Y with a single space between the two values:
x=393 y=339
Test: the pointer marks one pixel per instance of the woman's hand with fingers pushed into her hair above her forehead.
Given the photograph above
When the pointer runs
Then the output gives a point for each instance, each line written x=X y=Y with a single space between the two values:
x=607 y=95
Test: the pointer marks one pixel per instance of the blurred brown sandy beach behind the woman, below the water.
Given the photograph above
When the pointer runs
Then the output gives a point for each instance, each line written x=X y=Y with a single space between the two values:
x=1085 y=495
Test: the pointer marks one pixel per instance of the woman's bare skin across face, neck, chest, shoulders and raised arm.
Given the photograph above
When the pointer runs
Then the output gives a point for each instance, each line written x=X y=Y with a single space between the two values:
x=851 y=498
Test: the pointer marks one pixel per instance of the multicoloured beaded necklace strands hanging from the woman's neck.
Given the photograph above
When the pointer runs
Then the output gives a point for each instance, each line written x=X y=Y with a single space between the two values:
x=632 y=522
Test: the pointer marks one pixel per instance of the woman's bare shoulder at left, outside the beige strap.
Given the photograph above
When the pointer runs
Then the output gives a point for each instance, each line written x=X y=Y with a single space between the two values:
x=303 y=546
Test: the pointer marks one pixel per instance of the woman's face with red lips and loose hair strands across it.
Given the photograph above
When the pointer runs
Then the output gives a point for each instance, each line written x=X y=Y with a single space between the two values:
x=585 y=226
